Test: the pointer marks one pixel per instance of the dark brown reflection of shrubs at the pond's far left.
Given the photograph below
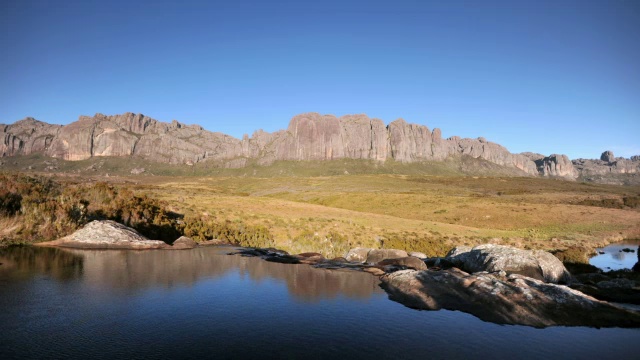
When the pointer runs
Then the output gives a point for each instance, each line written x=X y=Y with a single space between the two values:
x=26 y=261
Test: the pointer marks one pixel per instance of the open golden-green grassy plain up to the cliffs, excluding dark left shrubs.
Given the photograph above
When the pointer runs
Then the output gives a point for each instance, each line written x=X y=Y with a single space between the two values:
x=429 y=208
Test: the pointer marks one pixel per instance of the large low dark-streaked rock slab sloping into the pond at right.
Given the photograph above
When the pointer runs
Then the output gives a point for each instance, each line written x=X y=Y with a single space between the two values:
x=514 y=299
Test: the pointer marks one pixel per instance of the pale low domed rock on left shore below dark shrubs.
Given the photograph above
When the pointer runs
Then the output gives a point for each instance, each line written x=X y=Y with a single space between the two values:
x=106 y=234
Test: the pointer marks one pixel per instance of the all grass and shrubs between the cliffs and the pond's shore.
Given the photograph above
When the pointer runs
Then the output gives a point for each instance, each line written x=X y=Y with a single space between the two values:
x=431 y=208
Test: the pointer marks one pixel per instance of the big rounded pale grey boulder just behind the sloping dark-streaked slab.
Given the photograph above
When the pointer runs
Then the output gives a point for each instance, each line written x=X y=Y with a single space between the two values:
x=537 y=264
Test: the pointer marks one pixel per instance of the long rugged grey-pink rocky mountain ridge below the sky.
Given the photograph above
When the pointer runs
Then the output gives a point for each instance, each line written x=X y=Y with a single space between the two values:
x=309 y=136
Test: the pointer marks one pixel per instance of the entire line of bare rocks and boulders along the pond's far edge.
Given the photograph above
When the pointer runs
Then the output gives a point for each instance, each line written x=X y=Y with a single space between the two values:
x=495 y=283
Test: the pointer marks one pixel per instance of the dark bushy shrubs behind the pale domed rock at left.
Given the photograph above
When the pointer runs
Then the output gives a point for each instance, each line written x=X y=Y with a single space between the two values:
x=45 y=209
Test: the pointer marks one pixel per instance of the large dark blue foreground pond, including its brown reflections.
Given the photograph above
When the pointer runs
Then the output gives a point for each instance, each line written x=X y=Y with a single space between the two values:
x=203 y=304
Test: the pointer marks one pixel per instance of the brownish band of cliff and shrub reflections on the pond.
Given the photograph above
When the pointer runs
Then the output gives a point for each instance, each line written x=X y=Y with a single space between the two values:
x=133 y=270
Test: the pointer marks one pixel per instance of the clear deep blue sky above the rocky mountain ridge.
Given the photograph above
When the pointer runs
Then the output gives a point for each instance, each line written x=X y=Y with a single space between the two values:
x=545 y=76
